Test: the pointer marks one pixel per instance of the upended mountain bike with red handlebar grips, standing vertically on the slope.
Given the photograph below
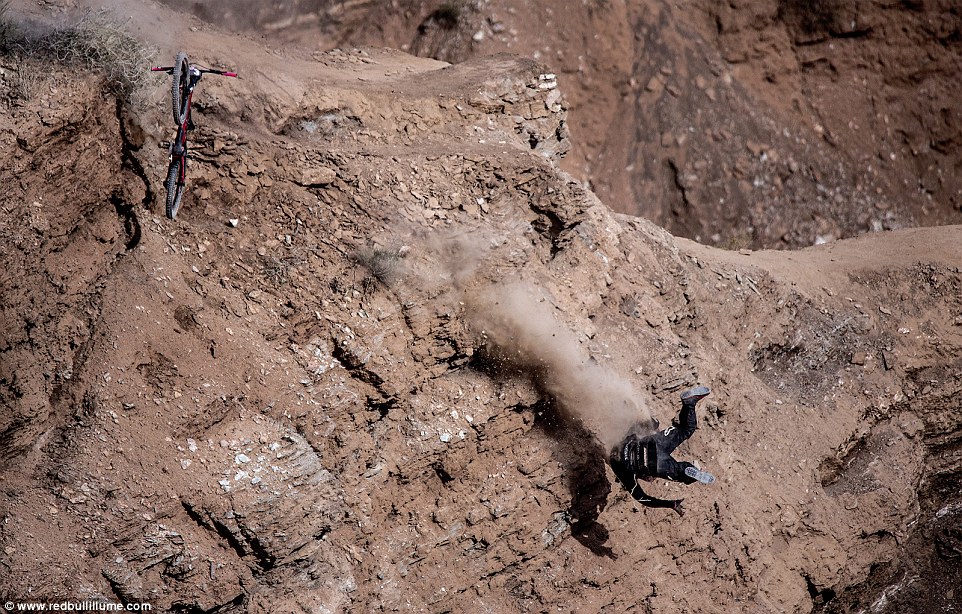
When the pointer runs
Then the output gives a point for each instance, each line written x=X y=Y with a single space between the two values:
x=185 y=78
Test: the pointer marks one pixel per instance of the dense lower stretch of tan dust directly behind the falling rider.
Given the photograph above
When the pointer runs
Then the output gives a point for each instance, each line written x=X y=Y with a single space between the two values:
x=522 y=333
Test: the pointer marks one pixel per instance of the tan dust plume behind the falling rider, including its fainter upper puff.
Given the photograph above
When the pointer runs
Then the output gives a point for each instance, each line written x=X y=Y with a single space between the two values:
x=519 y=334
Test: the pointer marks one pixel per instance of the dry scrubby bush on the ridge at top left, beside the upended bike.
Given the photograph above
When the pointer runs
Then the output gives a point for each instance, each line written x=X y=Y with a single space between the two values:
x=95 y=41
